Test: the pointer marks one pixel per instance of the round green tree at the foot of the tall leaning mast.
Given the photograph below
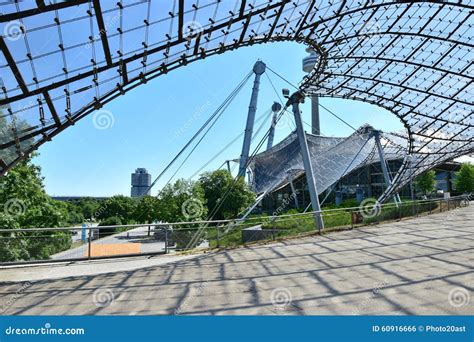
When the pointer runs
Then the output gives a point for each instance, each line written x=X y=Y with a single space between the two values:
x=225 y=199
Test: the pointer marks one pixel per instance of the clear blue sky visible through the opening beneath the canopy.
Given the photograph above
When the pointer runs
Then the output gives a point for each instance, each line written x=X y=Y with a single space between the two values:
x=152 y=122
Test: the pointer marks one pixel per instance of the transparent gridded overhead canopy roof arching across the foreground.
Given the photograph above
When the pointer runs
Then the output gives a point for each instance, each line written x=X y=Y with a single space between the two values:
x=63 y=60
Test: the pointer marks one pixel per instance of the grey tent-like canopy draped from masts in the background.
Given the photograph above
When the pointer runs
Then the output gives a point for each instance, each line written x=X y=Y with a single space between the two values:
x=332 y=158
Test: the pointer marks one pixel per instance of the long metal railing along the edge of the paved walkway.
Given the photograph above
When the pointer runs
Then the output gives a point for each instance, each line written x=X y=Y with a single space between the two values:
x=29 y=245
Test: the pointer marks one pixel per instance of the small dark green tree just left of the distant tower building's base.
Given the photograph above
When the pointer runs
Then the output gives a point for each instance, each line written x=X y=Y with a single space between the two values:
x=120 y=206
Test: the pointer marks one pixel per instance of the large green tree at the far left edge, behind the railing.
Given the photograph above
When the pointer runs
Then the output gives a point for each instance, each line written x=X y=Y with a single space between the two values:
x=25 y=204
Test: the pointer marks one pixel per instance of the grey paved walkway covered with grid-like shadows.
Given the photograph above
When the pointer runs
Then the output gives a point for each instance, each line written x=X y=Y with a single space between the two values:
x=420 y=266
